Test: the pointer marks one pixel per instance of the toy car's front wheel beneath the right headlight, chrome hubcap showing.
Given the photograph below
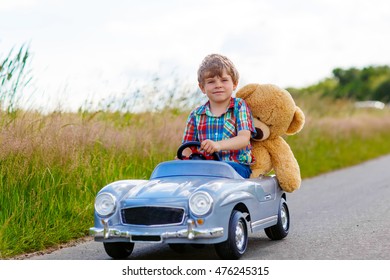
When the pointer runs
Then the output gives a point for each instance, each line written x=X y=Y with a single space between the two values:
x=235 y=246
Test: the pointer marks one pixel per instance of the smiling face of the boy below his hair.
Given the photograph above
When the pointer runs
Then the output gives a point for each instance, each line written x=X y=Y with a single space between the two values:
x=218 y=89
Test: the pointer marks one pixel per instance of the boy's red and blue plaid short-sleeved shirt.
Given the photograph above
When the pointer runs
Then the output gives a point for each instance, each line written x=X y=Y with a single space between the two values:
x=202 y=125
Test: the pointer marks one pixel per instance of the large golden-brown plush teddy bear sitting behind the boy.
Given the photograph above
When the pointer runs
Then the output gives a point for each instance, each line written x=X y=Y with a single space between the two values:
x=275 y=114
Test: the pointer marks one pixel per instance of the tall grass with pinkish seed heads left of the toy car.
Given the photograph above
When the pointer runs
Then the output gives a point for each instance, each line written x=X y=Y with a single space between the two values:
x=51 y=168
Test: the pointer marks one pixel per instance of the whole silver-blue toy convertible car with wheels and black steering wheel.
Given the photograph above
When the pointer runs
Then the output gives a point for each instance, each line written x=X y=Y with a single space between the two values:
x=190 y=201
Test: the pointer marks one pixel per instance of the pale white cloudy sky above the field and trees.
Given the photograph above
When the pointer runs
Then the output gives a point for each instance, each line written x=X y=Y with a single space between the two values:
x=90 y=49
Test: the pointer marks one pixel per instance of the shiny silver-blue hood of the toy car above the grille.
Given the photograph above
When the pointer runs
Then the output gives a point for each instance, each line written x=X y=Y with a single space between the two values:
x=177 y=187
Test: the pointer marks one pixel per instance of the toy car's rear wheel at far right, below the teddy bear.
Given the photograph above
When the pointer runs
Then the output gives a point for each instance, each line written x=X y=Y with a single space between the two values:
x=280 y=230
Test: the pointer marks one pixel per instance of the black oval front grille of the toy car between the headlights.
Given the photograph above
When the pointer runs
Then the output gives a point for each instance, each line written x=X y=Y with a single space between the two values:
x=151 y=215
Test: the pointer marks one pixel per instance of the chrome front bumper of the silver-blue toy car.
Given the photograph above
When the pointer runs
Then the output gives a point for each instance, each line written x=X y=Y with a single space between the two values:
x=190 y=233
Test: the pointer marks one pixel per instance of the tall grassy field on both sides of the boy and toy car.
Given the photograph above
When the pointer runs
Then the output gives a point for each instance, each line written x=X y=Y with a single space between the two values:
x=51 y=166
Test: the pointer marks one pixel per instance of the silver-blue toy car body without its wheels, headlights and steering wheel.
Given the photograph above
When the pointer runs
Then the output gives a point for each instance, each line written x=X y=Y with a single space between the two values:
x=157 y=210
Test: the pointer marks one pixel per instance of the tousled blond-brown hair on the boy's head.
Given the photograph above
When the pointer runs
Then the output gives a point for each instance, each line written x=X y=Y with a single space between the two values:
x=213 y=65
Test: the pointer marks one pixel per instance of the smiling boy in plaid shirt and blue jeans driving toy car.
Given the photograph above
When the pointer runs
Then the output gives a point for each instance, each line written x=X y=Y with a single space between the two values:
x=224 y=124
